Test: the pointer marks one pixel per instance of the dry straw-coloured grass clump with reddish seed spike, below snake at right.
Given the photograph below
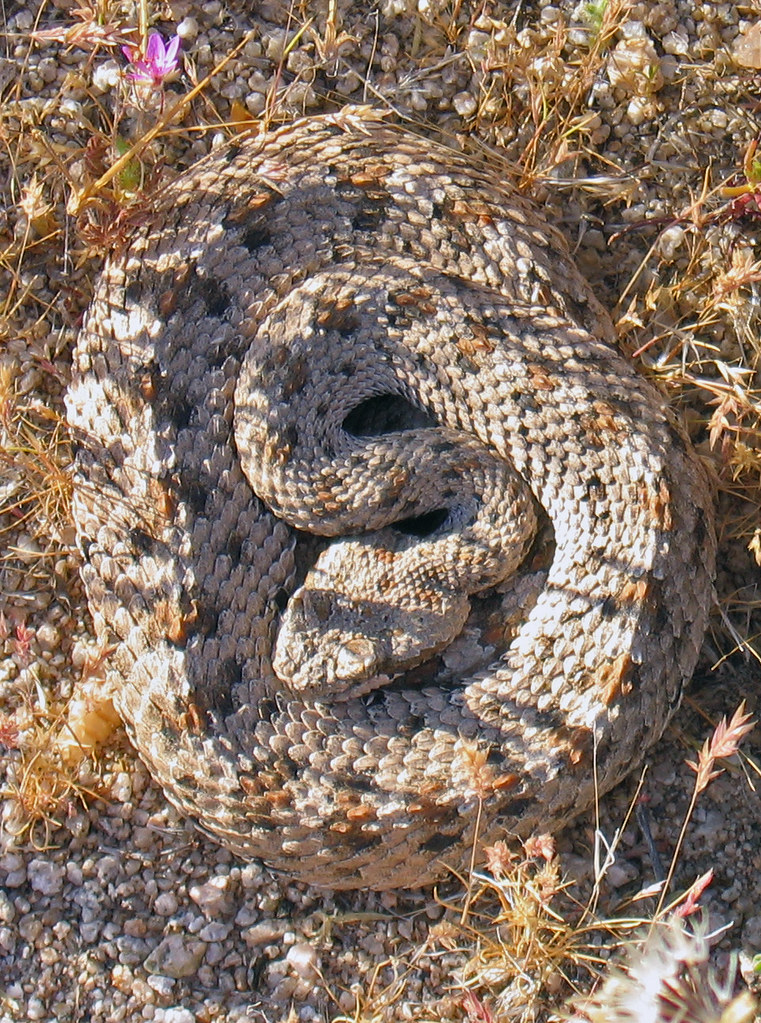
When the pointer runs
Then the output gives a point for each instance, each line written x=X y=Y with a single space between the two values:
x=534 y=947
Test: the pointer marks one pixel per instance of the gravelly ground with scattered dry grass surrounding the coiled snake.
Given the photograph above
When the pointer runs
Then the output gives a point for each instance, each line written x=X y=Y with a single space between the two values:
x=121 y=911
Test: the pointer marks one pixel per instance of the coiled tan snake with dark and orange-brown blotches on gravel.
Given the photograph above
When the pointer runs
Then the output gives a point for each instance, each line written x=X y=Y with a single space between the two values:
x=397 y=553
